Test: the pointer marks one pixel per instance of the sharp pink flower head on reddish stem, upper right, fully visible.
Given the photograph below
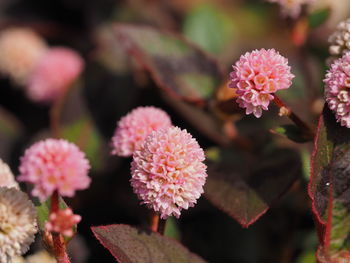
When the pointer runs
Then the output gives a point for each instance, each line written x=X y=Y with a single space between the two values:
x=256 y=76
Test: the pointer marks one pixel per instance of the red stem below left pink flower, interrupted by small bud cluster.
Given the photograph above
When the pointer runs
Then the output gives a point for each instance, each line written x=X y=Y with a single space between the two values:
x=59 y=246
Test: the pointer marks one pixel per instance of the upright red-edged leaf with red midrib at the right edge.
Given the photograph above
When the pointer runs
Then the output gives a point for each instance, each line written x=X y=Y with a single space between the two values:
x=329 y=188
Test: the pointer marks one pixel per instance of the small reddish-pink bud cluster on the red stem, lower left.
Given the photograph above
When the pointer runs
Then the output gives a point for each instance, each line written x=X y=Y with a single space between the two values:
x=62 y=222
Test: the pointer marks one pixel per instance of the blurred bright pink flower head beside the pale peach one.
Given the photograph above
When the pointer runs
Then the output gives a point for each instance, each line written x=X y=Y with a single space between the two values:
x=57 y=69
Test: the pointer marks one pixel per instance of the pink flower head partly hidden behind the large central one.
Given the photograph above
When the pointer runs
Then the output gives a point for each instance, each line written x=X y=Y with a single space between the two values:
x=132 y=129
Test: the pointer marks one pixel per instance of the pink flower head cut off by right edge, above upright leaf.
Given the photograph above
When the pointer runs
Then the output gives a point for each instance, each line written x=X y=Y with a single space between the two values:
x=337 y=89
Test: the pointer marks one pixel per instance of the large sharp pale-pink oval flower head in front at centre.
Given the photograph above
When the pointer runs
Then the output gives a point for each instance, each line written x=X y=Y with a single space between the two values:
x=168 y=172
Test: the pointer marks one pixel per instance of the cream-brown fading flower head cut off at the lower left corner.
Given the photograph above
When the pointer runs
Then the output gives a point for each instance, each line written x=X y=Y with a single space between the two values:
x=17 y=223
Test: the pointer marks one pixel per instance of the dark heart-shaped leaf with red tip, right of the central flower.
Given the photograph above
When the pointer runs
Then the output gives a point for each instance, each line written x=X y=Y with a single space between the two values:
x=245 y=186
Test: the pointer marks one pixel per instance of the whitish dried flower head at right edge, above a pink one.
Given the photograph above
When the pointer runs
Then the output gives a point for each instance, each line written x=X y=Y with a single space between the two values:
x=340 y=39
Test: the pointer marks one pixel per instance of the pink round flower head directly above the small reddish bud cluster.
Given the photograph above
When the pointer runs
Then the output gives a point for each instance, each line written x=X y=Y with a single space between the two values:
x=54 y=164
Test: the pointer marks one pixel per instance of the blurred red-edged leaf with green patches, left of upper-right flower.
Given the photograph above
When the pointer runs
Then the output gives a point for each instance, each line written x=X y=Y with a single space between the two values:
x=175 y=65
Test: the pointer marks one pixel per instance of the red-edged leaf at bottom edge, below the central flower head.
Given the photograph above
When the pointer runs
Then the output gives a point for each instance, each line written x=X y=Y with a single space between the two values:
x=128 y=245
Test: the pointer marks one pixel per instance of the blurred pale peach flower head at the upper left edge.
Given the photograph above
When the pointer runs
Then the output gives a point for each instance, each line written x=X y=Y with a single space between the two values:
x=20 y=51
